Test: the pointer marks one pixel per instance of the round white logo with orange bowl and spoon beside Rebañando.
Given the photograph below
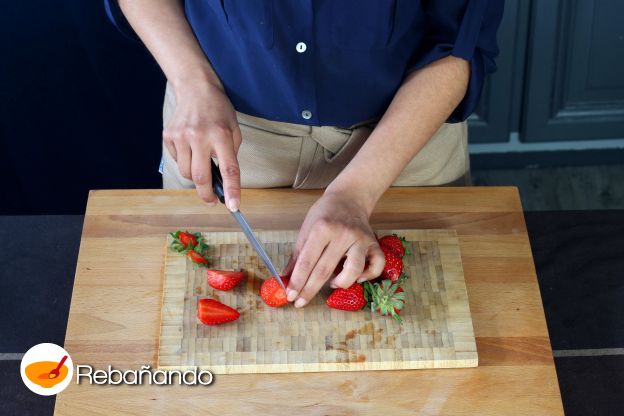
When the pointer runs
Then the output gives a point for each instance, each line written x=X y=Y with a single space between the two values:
x=47 y=369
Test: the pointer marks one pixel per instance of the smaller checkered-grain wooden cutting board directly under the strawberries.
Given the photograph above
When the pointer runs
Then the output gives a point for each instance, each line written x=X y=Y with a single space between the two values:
x=437 y=331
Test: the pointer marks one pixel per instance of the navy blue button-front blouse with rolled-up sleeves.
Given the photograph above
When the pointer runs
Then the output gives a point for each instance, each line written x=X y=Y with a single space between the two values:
x=336 y=62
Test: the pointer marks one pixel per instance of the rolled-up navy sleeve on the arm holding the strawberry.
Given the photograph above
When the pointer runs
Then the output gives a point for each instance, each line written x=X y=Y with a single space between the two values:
x=465 y=29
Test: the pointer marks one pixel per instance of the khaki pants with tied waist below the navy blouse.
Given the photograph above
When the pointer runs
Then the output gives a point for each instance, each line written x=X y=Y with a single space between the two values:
x=275 y=154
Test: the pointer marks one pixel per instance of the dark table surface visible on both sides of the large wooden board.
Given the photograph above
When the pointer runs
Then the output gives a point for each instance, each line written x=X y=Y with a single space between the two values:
x=579 y=258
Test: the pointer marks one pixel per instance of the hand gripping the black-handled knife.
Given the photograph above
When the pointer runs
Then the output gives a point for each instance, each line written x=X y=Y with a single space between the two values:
x=202 y=126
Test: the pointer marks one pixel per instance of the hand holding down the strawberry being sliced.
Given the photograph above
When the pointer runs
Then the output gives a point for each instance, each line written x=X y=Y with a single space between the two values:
x=335 y=226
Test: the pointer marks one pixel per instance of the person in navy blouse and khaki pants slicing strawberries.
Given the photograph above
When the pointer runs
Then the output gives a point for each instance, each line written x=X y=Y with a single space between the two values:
x=352 y=96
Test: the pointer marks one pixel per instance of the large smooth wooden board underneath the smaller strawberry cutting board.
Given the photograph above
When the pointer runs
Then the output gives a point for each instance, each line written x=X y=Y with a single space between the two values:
x=115 y=311
